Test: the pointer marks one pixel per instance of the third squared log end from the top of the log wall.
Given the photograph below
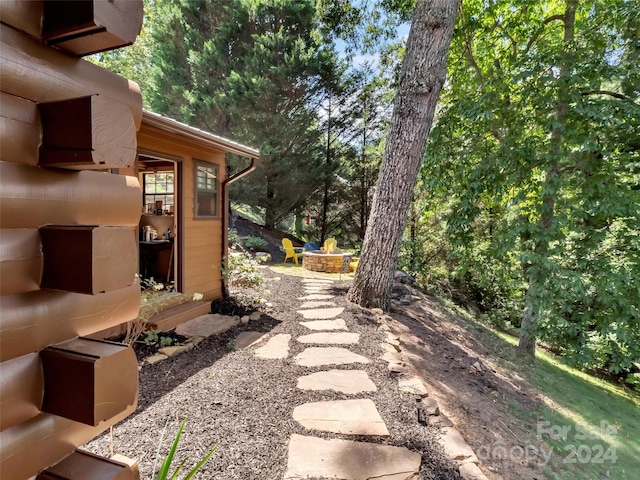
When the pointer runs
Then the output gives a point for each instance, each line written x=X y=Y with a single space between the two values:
x=88 y=259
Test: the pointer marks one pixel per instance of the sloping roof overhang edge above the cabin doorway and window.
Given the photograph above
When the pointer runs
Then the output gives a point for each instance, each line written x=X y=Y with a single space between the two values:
x=200 y=136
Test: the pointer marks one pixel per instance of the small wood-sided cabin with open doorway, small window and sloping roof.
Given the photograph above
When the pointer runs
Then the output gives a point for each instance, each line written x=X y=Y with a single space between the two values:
x=183 y=174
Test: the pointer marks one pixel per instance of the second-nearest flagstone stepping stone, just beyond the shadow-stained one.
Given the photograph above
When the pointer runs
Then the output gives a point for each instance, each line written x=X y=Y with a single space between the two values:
x=351 y=417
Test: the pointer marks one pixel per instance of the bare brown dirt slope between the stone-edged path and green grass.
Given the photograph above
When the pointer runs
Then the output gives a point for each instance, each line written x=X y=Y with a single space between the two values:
x=442 y=348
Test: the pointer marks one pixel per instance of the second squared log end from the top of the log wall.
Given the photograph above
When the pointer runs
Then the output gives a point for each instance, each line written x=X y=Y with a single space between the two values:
x=87 y=132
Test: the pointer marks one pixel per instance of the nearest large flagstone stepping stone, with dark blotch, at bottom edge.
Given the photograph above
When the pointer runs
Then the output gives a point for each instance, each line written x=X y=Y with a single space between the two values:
x=312 y=457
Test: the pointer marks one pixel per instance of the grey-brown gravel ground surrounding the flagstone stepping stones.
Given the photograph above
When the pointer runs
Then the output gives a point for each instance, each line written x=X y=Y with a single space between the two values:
x=244 y=404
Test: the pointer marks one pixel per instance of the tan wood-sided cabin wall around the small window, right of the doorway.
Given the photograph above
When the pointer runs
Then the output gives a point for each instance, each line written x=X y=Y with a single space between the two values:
x=201 y=237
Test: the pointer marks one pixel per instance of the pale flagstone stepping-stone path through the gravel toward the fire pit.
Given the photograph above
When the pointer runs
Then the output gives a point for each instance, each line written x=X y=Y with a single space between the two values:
x=328 y=340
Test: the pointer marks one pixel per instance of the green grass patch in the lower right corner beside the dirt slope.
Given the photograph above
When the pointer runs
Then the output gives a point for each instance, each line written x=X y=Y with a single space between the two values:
x=592 y=425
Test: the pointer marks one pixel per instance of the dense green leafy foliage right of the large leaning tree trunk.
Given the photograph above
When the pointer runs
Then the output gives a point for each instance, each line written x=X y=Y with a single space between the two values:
x=535 y=158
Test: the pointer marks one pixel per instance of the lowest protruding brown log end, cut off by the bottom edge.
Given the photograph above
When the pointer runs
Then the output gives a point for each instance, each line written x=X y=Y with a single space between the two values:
x=87 y=465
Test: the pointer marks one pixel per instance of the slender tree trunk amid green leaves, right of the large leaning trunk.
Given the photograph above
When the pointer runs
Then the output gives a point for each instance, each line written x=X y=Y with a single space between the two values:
x=530 y=318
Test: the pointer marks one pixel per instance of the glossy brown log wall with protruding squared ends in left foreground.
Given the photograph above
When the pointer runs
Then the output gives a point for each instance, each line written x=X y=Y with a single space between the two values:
x=67 y=244
